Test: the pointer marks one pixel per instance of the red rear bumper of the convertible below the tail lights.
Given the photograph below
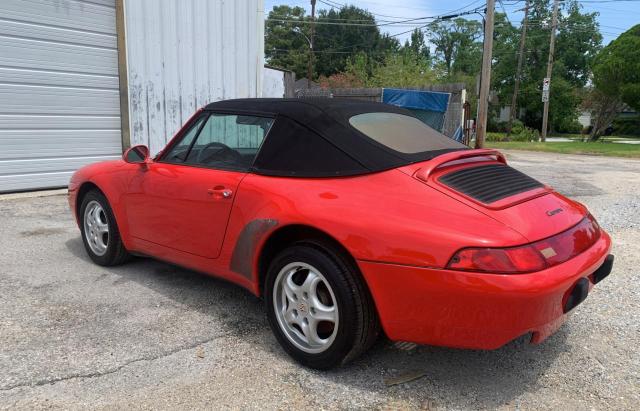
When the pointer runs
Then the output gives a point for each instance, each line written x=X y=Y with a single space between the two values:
x=479 y=310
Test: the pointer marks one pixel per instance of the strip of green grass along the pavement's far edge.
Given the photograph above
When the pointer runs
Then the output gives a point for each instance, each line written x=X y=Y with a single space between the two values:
x=573 y=147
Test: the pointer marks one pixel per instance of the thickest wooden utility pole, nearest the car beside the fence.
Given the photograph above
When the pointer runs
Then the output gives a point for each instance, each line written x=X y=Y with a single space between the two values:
x=485 y=76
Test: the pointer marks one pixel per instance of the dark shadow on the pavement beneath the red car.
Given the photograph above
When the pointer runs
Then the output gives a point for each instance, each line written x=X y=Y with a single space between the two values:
x=482 y=379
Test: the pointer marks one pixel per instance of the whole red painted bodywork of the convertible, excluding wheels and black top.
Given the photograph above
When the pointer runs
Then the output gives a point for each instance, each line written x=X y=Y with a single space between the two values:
x=401 y=226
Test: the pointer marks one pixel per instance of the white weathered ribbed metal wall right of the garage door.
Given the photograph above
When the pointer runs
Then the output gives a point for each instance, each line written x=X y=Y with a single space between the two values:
x=182 y=55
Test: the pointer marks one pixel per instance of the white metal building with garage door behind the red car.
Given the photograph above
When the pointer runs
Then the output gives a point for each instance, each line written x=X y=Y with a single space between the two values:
x=81 y=80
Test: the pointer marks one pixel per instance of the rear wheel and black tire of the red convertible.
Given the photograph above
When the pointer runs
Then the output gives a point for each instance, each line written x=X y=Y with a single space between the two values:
x=305 y=299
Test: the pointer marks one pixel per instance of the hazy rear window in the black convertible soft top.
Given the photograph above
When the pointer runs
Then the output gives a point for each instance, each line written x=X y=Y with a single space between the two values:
x=401 y=133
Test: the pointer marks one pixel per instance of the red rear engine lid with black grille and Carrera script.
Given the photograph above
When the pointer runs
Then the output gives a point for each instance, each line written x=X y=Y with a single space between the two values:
x=483 y=180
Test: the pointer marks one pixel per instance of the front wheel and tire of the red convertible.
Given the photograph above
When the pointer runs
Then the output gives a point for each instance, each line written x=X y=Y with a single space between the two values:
x=99 y=230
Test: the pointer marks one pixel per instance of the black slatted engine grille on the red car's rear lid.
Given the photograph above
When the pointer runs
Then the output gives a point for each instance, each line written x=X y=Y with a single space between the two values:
x=489 y=183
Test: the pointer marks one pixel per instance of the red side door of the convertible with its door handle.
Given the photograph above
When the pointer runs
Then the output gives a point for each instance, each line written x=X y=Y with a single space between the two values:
x=169 y=205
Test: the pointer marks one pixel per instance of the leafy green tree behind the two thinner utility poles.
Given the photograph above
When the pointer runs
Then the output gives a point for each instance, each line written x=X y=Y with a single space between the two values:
x=578 y=41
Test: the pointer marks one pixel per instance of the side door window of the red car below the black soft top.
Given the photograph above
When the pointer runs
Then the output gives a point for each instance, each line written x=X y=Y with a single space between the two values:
x=229 y=141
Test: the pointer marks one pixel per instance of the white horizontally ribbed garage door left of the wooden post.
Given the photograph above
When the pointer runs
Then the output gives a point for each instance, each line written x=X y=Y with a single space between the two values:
x=59 y=100
